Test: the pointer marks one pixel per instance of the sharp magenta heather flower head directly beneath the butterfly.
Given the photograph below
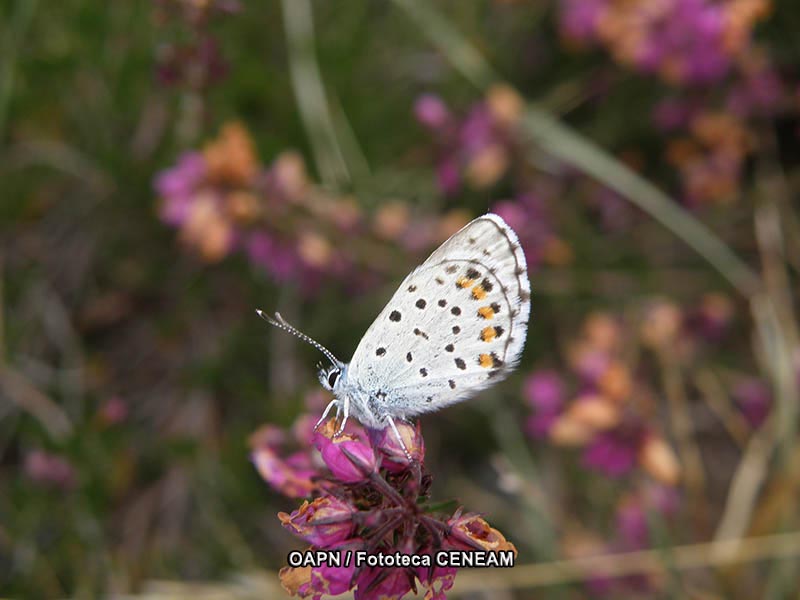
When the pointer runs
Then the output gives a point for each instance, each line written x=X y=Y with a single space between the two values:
x=368 y=497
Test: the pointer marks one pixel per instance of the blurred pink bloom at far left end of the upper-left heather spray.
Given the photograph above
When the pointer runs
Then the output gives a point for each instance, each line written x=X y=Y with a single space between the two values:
x=178 y=185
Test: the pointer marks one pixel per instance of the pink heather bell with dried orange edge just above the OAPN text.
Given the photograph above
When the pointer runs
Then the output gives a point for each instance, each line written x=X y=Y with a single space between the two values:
x=324 y=523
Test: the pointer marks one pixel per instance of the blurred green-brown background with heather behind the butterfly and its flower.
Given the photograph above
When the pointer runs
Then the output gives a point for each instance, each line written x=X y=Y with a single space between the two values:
x=168 y=166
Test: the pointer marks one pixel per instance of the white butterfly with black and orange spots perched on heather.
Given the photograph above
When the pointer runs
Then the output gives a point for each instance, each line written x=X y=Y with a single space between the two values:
x=456 y=325
